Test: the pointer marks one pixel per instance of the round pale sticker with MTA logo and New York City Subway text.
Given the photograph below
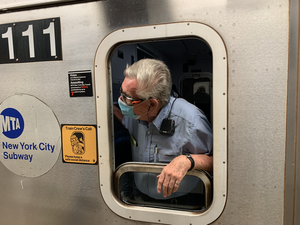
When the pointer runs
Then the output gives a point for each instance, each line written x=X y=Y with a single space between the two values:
x=30 y=137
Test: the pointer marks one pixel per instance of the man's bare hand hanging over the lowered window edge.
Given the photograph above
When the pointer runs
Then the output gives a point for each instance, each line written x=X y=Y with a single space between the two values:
x=172 y=175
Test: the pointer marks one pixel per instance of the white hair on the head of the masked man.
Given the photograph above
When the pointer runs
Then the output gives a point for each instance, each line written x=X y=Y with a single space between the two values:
x=153 y=79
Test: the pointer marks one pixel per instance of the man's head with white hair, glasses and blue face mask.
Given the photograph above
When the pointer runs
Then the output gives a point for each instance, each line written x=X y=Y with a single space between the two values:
x=145 y=89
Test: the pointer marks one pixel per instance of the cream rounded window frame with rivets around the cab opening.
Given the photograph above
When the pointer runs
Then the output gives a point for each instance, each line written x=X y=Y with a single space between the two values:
x=104 y=108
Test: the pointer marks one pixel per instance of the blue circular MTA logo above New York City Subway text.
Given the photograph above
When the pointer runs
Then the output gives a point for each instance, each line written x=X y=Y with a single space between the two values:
x=12 y=123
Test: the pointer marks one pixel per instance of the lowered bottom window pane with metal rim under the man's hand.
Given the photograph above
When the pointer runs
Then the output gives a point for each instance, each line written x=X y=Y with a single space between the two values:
x=130 y=186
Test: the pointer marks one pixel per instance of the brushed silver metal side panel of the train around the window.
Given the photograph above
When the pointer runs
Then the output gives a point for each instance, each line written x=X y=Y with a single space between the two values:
x=256 y=37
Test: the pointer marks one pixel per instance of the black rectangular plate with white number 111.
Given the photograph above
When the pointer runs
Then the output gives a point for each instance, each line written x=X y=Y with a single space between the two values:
x=30 y=41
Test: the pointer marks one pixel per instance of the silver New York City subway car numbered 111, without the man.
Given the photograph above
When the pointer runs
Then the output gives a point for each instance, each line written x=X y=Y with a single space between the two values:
x=65 y=159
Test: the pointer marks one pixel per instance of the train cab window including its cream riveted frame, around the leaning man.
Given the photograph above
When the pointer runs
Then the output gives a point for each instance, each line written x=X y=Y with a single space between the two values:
x=196 y=57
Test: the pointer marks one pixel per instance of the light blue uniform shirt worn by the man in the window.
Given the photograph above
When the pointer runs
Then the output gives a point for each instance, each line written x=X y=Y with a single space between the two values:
x=193 y=134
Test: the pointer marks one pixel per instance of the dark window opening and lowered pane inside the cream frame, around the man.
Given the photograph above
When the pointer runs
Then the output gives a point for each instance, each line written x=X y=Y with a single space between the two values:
x=139 y=187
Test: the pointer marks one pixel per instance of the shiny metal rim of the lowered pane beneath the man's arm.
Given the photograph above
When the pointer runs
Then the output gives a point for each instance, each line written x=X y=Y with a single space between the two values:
x=157 y=168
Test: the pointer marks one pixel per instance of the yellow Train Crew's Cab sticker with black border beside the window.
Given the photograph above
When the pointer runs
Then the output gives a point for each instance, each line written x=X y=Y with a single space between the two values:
x=79 y=144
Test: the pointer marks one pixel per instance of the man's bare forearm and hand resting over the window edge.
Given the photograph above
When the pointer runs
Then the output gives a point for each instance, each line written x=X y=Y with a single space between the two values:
x=173 y=173
